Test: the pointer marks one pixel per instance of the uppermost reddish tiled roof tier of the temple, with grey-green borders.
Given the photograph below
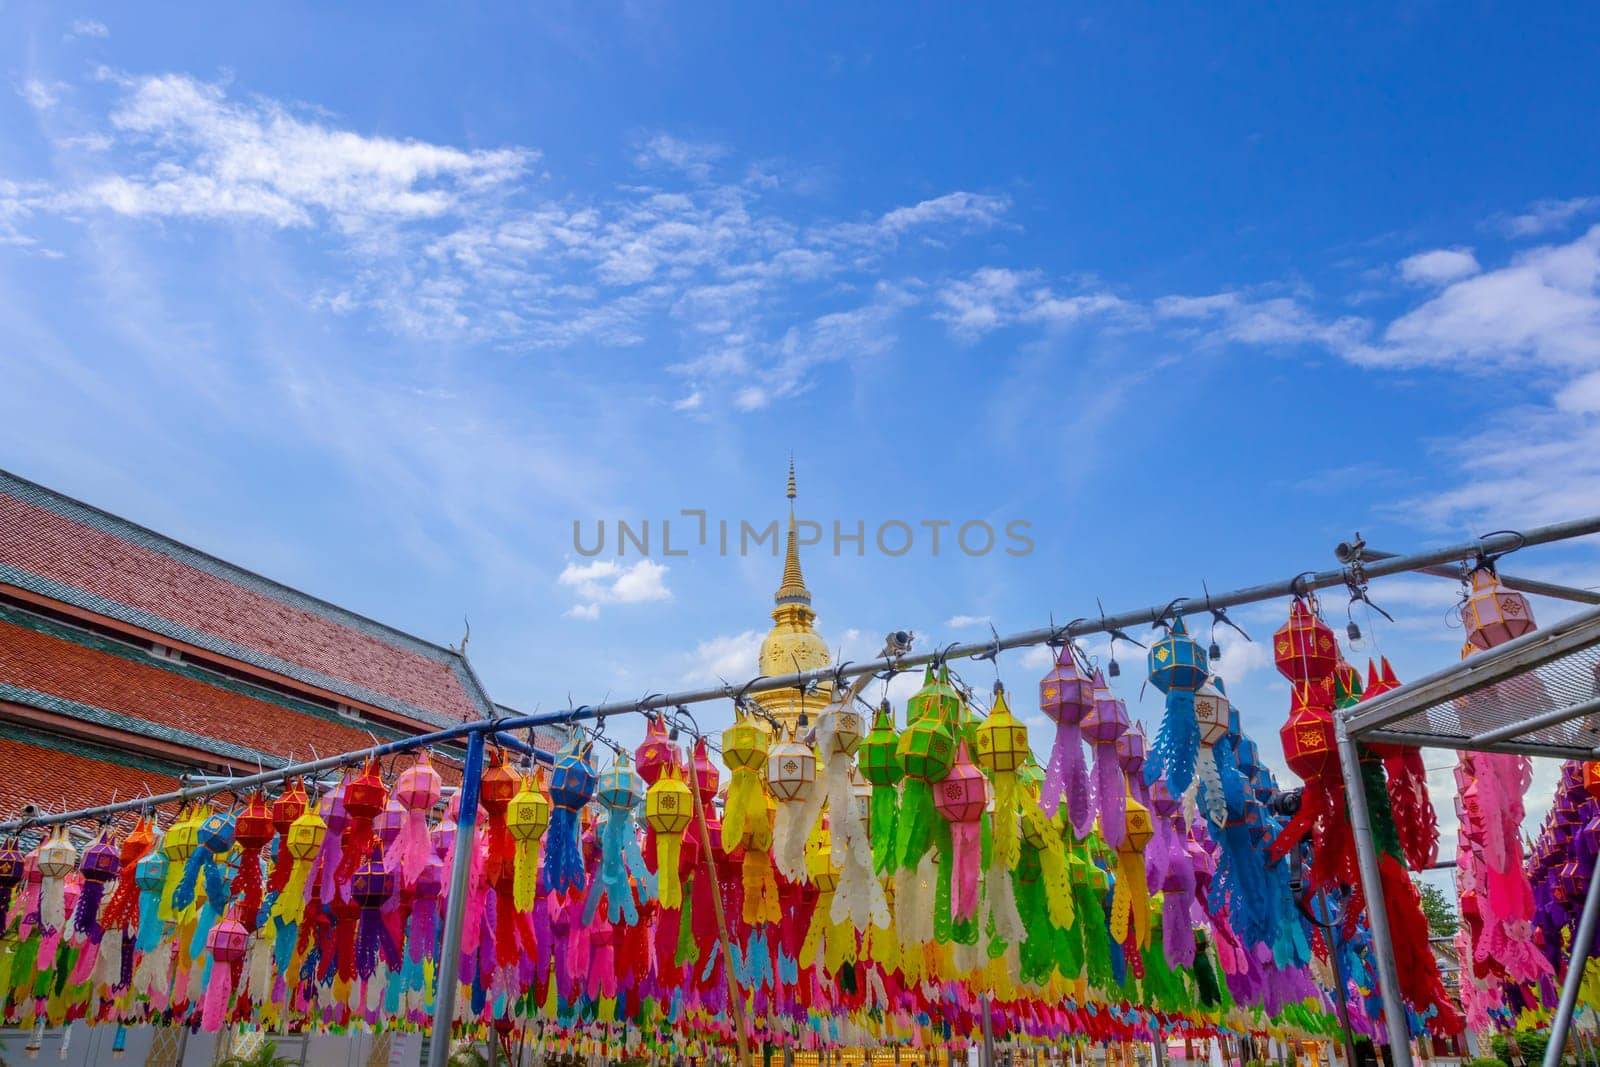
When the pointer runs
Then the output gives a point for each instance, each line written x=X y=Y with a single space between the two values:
x=58 y=551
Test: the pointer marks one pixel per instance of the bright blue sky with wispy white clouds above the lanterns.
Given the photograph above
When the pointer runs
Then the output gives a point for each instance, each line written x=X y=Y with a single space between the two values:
x=382 y=303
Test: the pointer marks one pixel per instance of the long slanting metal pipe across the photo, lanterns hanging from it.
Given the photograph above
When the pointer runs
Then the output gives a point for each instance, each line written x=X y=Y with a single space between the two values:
x=498 y=730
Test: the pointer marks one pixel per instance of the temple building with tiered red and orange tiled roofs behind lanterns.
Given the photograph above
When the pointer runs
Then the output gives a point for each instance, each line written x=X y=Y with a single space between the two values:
x=130 y=661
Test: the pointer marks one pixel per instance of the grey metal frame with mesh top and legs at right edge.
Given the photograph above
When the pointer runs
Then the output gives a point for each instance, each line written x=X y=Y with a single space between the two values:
x=1535 y=695
